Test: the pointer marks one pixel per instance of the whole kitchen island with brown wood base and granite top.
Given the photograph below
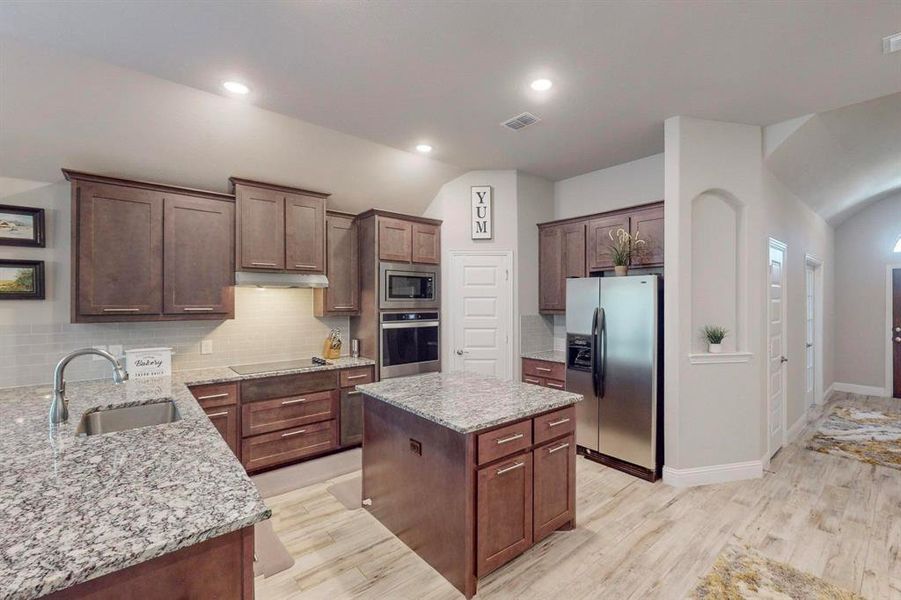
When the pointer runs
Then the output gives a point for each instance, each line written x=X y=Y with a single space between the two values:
x=468 y=471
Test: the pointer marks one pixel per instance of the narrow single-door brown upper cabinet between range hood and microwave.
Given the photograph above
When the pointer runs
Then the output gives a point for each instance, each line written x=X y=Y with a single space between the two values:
x=342 y=296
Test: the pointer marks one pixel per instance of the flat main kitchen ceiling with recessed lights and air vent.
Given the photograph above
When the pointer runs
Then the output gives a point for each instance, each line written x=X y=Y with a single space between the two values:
x=401 y=72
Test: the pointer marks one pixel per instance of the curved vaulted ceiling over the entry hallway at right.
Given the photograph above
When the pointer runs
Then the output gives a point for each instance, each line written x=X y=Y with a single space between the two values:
x=840 y=161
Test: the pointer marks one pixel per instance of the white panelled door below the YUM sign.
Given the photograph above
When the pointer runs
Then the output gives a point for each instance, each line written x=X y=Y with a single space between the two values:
x=481 y=306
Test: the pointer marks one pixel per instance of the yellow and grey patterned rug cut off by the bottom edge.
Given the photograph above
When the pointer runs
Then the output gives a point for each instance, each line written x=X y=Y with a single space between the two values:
x=742 y=574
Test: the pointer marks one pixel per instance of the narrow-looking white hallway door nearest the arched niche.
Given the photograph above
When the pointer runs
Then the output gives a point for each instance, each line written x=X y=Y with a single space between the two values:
x=776 y=343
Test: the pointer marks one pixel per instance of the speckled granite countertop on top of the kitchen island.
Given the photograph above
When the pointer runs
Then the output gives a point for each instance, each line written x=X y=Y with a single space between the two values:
x=466 y=402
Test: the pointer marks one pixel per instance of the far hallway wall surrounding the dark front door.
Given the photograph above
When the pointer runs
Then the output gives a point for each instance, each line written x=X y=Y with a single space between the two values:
x=863 y=250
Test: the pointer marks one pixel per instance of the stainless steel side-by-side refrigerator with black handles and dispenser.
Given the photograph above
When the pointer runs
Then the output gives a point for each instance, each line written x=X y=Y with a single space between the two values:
x=612 y=358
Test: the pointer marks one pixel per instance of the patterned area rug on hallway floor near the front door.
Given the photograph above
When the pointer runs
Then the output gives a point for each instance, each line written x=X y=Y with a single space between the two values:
x=871 y=436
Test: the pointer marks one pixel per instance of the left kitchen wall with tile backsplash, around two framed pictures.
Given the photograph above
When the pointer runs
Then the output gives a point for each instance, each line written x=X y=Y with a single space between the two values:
x=34 y=334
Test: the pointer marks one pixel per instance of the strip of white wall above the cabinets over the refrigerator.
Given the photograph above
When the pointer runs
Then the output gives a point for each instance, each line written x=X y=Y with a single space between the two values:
x=621 y=186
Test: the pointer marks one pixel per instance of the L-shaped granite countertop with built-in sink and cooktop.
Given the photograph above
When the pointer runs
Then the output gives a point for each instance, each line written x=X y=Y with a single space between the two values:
x=76 y=508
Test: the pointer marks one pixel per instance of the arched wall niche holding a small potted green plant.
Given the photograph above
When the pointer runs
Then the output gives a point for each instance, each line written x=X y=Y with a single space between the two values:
x=718 y=268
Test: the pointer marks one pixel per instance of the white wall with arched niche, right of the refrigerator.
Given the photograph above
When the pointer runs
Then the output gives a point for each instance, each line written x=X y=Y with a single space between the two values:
x=715 y=414
